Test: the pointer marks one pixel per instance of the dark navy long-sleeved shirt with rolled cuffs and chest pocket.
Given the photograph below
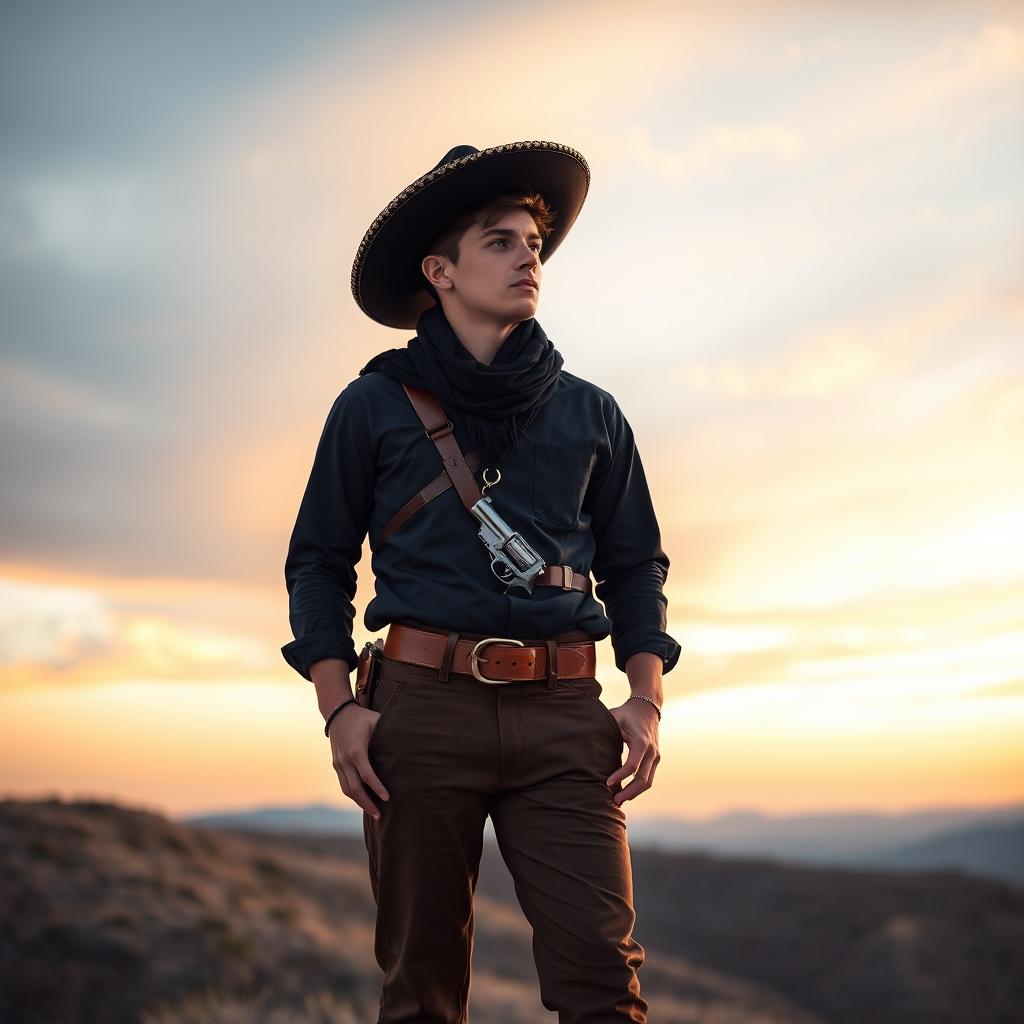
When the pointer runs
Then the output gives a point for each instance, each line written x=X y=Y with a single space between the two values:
x=575 y=488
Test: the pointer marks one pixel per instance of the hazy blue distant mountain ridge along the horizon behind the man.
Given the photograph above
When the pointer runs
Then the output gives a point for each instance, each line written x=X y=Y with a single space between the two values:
x=989 y=843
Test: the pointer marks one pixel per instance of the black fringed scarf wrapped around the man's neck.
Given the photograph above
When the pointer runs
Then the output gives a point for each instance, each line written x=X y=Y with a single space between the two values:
x=497 y=401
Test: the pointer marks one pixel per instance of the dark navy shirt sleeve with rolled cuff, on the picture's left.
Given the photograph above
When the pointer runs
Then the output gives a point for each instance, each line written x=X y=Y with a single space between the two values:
x=327 y=540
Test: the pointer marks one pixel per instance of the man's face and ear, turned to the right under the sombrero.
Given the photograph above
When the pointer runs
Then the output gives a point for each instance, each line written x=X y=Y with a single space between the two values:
x=492 y=262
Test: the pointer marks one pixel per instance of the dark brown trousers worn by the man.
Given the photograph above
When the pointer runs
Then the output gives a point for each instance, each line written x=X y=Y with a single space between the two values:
x=536 y=760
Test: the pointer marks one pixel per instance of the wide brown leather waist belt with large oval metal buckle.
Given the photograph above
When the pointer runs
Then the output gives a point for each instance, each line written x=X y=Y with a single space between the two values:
x=570 y=656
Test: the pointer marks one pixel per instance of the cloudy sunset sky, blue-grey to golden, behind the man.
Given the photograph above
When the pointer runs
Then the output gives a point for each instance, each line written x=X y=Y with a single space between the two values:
x=800 y=270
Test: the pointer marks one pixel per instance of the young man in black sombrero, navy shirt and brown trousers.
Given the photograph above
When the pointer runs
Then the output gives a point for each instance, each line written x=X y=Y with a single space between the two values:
x=487 y=702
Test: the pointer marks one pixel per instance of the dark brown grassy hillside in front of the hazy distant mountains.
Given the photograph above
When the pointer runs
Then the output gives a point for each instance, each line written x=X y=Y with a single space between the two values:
x=120 y=916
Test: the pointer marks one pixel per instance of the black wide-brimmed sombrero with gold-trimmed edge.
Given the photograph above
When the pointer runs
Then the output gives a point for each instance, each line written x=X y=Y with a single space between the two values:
x=388 y=279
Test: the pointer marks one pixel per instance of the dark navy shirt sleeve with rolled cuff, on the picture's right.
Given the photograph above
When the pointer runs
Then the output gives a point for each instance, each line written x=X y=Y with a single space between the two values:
x=630 y=567
